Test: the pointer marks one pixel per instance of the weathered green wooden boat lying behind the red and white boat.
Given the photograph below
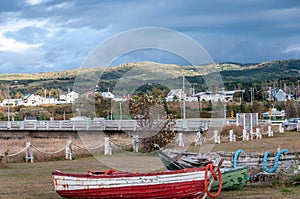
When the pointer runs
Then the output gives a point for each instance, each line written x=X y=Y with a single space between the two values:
x=232 y=178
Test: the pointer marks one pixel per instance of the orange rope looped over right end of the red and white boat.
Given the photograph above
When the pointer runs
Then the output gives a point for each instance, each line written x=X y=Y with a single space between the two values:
x=210 y=167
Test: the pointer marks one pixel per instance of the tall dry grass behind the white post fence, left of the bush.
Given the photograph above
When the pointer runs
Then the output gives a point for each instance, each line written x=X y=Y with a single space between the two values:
x=87 y=145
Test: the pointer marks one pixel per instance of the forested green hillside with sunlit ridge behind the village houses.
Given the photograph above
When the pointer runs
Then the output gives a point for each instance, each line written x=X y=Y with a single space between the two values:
x=233 y=74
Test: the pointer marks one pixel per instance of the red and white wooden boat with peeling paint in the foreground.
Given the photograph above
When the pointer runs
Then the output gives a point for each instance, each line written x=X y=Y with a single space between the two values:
x=185 y=183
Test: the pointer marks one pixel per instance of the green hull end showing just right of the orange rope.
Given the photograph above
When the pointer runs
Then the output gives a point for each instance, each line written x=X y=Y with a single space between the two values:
x=232 y=179
